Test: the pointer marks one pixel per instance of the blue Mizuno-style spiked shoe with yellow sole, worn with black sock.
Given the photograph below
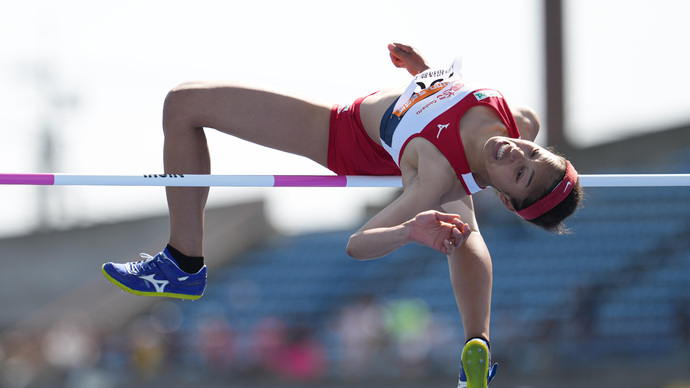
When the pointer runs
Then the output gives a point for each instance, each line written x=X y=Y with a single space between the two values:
x=156 y=276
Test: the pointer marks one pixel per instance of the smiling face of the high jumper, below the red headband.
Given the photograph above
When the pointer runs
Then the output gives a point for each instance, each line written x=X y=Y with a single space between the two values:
x=521 y=169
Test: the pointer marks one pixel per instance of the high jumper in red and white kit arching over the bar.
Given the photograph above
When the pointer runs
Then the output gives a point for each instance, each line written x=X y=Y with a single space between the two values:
x=446 y=138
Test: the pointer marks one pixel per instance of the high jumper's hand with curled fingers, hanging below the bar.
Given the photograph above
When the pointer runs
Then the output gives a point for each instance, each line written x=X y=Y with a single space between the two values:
x=441 y=231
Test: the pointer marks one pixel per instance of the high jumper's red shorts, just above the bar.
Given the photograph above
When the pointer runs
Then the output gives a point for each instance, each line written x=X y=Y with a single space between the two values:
x=350 y=149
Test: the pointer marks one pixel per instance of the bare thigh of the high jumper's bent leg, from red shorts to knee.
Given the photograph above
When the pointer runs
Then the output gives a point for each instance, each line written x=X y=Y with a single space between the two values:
x=278 y=120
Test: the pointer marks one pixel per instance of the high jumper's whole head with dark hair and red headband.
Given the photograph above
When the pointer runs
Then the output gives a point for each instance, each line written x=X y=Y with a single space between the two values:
x=536 y=183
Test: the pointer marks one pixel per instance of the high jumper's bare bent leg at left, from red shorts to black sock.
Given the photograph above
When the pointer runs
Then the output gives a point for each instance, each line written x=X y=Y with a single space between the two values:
x=275 y=120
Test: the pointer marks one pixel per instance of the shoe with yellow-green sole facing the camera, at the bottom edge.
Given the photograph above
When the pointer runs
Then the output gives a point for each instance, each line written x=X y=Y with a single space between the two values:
x=476 y=370
